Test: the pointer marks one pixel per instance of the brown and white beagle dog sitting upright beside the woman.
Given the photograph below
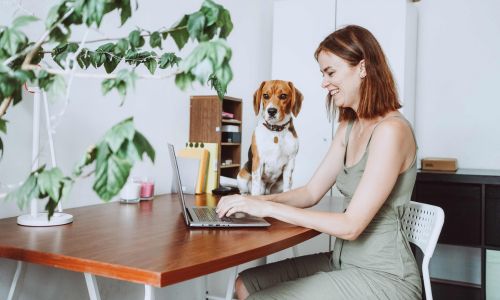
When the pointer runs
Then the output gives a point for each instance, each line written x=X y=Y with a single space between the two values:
x=271 y=156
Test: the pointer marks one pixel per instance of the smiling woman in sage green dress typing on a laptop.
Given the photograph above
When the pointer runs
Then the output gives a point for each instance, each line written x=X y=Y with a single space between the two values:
x=372 y=159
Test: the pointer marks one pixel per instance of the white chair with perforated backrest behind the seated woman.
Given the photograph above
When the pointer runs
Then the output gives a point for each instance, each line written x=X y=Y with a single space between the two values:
x=422 y=224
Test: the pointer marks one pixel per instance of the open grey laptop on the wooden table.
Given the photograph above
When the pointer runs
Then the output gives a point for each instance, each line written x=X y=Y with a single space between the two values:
x=204 y=216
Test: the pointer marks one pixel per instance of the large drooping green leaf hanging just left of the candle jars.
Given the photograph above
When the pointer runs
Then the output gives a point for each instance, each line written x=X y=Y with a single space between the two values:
x=111 y=176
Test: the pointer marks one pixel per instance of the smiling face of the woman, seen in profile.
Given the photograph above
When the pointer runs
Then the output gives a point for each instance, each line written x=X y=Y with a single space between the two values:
x=341 y=80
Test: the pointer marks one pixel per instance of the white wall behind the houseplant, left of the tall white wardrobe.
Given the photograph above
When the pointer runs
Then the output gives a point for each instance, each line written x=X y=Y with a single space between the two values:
x=161 y=113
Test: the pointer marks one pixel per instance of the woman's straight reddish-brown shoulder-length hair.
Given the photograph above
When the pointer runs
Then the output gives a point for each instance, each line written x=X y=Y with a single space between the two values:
x=378 y=94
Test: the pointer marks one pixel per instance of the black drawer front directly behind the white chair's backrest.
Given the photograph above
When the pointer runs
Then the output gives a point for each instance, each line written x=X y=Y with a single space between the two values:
x=462 y=210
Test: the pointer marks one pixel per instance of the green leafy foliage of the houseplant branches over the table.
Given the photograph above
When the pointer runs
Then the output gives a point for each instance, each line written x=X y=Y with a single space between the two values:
x=115 y=154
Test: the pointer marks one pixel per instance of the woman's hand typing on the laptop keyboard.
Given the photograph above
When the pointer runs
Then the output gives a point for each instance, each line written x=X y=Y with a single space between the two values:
x=228 y=205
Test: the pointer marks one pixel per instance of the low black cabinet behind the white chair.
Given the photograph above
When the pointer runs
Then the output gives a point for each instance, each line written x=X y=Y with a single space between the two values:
x=471 y=202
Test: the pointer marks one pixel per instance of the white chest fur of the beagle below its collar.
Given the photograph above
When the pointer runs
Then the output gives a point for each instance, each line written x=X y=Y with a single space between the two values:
x=274 y=156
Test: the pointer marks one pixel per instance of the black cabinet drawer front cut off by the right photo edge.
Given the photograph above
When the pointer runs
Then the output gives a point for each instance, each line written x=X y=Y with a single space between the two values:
x=492 y=223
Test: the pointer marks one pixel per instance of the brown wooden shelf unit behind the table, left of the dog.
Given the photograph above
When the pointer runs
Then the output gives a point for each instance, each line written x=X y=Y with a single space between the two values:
x=205 y=125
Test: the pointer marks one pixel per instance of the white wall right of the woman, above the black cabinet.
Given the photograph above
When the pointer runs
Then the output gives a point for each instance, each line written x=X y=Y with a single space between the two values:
x=457 y=107
